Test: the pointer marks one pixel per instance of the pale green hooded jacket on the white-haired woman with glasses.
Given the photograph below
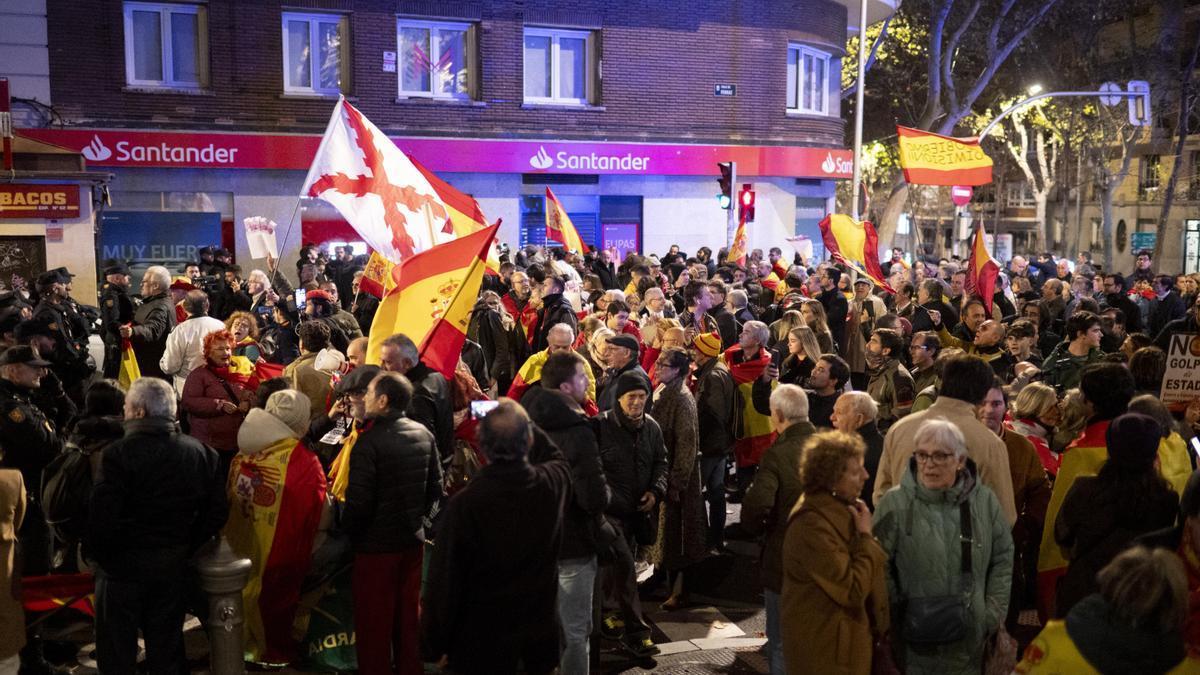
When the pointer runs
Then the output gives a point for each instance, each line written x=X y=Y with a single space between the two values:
x=921 y=531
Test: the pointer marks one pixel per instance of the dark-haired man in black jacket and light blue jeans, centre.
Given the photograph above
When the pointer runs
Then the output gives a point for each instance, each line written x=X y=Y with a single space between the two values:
x=555 y=408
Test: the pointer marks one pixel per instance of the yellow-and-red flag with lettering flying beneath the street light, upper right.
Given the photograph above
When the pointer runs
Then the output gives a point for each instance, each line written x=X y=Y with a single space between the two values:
x=932 y=159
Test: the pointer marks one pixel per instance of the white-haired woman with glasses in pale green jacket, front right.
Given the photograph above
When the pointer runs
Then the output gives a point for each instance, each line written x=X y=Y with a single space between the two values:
x=951 y=555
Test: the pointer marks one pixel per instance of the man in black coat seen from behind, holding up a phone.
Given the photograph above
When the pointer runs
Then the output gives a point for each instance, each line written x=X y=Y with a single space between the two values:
x=490 y=602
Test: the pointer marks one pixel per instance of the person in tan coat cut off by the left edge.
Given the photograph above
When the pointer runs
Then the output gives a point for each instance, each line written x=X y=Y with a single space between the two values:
x=13 y=616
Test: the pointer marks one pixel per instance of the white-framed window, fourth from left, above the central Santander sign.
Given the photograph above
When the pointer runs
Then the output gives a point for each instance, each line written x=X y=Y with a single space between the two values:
x=559 y=67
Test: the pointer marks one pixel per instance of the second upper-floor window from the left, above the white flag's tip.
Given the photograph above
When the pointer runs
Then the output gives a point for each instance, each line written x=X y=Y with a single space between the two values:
x=315 y=53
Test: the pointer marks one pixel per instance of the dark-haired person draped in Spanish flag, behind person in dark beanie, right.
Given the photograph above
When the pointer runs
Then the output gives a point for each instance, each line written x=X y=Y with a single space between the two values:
x=1107 y=390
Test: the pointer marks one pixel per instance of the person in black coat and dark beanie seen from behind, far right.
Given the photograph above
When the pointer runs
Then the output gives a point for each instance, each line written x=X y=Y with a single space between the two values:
x=1102 y=515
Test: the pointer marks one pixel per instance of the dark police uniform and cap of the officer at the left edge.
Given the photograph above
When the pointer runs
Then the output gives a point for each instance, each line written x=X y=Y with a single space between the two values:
x=28 y=443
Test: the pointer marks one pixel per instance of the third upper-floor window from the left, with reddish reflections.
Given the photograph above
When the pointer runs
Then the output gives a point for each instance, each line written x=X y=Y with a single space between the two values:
x=434 y=59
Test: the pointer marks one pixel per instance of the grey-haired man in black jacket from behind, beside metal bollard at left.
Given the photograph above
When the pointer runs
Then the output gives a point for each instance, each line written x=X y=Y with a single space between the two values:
x=159 y=499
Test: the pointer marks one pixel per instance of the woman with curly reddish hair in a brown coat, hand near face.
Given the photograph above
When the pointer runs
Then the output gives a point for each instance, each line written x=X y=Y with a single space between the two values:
x=835 y=596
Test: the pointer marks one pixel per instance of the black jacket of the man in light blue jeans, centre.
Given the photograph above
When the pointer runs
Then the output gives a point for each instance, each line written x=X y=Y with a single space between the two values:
x=585 y=530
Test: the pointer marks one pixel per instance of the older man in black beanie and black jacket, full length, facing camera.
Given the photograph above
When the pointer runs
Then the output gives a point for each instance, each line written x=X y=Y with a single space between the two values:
x=635 y=463
